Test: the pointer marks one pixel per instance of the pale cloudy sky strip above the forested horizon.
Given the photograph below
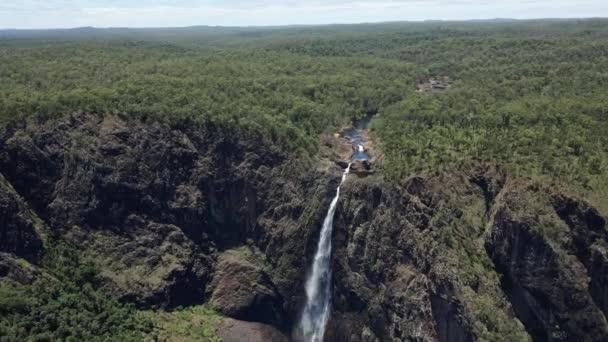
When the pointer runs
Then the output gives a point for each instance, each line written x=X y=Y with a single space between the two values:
x=24 y=14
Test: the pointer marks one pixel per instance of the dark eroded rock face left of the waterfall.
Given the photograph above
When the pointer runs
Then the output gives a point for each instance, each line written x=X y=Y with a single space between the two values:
x=156 y=205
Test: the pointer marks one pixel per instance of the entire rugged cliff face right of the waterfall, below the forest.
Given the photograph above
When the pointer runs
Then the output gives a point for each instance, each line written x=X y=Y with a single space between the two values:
x=468 y=257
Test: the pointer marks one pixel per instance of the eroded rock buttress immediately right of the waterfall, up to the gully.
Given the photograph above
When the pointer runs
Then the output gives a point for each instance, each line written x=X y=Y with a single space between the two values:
x=386 y=287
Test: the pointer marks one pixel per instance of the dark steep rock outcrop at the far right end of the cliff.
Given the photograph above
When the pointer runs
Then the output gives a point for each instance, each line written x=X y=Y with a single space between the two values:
x=548 y=267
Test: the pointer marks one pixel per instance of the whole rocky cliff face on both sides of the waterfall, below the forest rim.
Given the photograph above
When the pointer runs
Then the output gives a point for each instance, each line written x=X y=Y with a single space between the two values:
x=183 y=214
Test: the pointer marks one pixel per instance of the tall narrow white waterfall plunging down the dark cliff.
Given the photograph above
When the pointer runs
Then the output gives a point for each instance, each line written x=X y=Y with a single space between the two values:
x=318 y=284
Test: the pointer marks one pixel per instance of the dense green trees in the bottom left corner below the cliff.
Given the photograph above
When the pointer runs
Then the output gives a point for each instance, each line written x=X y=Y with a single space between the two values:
x=66 y=306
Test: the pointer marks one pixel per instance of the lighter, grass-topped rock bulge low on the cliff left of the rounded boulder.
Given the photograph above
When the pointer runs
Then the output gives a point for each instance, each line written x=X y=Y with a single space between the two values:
x=151 y=264
